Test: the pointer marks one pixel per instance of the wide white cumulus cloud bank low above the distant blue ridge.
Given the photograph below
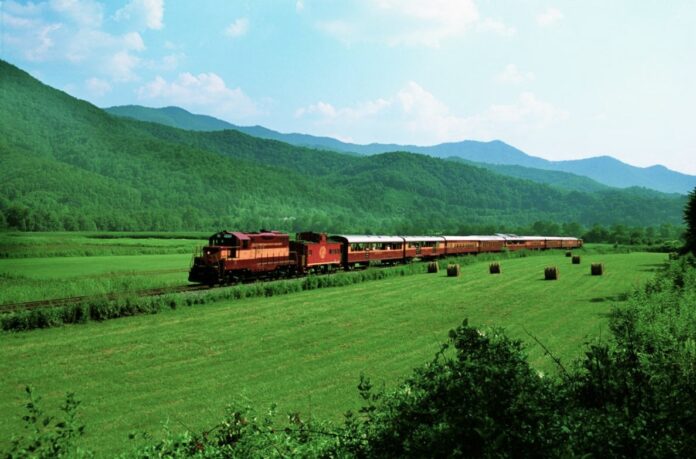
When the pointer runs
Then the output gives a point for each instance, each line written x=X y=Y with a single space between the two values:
x=416 y=115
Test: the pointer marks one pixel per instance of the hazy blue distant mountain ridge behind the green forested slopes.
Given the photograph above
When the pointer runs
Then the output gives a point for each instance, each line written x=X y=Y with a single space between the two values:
x=605 y=170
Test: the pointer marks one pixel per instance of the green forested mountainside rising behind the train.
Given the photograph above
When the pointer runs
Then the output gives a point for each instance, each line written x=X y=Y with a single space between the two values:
x=66 y=164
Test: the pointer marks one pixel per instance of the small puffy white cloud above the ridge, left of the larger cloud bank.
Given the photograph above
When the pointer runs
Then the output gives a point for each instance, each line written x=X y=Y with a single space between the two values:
x=206 y=92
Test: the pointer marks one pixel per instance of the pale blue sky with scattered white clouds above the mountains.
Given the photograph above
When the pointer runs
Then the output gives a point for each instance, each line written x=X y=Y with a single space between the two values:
x=558 y=79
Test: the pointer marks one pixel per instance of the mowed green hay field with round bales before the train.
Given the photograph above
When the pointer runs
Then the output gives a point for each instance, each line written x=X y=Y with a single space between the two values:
x=304 y=351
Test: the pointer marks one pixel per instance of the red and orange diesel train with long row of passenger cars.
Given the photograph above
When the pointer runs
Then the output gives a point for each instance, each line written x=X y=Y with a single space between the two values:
x=234 y=257
